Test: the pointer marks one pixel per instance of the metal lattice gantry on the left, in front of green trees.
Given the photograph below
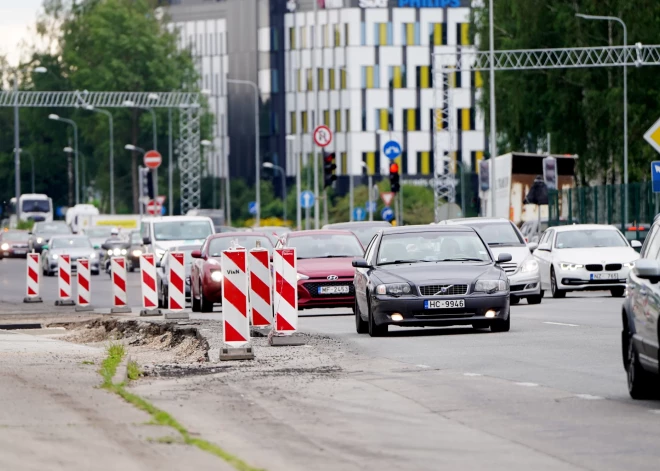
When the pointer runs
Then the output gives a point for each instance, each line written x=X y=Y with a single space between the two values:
x=188 y=104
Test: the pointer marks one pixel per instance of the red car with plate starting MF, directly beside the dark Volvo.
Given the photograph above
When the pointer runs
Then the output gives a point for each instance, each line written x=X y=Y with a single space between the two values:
x=325 y=270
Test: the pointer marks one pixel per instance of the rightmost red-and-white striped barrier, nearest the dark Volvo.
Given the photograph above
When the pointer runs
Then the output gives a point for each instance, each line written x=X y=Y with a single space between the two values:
x=285 y=301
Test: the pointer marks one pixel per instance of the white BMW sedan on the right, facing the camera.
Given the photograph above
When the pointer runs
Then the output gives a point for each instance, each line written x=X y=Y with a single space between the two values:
x=585 y=257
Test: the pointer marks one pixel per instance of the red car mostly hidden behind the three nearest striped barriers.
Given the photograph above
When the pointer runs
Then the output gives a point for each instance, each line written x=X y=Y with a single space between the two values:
x=206 y=275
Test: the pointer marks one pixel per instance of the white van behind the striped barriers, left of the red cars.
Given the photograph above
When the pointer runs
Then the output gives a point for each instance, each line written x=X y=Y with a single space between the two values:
x=162 y=233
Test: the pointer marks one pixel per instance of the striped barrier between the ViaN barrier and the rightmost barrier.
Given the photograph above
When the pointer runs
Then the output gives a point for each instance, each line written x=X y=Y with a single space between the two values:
x=261 y=308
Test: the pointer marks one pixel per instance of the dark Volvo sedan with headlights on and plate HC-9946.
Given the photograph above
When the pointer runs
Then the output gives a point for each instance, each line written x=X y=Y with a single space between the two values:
x=430 y=276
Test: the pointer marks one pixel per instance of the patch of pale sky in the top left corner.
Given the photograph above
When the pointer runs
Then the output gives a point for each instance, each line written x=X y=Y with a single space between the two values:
x=17 y=19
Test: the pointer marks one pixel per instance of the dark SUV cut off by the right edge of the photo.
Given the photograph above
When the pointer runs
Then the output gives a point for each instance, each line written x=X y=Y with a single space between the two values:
x=640 y=337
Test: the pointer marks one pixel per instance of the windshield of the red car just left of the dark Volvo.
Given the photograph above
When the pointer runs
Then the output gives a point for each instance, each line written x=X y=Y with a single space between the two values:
x=326 y=246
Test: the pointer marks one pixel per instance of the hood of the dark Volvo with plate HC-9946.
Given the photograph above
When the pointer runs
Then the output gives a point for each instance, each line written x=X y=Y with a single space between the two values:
x=437 y=273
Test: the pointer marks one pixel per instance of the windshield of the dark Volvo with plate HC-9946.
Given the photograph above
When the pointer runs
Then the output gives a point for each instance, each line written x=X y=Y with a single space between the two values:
x=432 y=246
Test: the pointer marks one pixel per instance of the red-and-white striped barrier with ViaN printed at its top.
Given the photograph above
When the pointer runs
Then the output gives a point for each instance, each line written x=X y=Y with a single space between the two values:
x=236 y=325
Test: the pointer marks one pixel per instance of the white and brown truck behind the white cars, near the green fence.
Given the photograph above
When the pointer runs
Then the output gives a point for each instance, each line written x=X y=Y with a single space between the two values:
x=514 y=175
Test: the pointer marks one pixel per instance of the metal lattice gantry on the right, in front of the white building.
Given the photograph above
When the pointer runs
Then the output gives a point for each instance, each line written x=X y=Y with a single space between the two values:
x=445 y=64
